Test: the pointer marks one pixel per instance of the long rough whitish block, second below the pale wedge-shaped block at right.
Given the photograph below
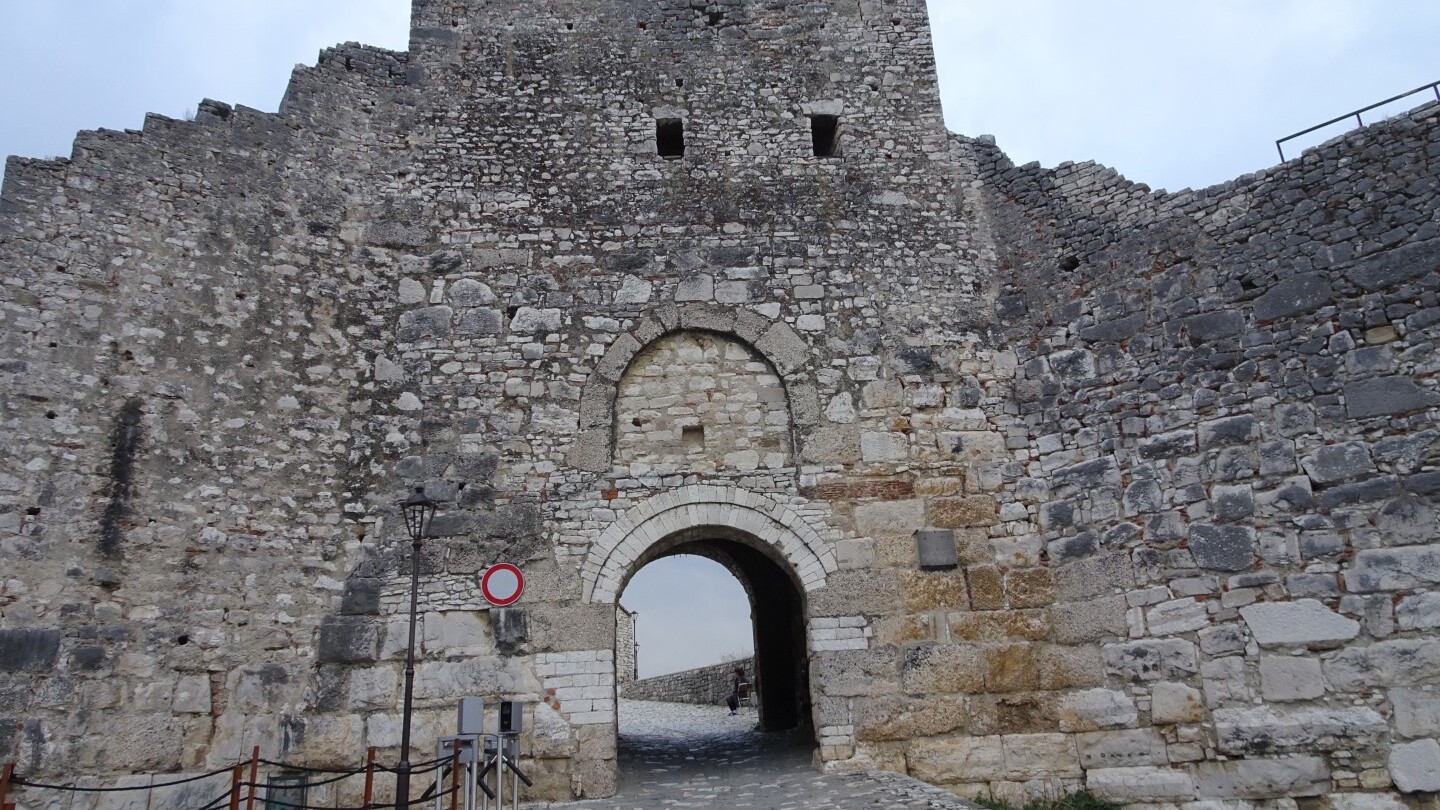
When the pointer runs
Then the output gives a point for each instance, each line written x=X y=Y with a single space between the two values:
x=1268 y=730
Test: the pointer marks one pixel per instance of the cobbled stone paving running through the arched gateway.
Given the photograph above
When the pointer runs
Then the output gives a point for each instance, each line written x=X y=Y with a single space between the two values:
x=676 y=756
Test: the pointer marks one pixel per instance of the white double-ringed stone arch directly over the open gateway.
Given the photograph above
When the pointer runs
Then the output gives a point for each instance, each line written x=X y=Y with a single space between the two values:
x=613 y=556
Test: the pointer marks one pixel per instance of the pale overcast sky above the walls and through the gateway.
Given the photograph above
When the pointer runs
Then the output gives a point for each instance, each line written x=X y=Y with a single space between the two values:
x=1171 y=94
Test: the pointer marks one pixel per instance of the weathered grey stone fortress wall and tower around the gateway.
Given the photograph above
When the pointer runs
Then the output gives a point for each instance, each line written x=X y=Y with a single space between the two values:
x=1171 y=459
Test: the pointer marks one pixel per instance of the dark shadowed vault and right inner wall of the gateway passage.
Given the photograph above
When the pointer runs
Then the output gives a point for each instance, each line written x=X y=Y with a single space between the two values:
x=777 y=606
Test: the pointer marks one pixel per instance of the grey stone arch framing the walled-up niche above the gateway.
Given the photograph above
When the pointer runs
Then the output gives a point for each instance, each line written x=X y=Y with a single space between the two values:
x=775 y=341
